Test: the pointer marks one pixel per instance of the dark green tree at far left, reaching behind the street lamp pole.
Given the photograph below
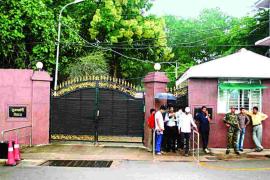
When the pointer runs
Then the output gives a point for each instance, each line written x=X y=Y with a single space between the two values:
x=28 y=35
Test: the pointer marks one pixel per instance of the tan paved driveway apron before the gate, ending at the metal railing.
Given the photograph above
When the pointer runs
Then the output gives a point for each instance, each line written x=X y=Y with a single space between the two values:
x=101 y=152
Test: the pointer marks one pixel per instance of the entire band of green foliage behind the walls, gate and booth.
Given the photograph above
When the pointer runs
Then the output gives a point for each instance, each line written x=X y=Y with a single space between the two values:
x=119 y=29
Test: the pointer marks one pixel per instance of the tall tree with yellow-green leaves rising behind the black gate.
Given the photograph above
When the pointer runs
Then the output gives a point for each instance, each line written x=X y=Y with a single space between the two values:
x=123 y=28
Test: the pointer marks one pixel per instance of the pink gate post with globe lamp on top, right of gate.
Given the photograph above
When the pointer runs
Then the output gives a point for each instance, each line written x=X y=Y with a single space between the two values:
x=154 y=82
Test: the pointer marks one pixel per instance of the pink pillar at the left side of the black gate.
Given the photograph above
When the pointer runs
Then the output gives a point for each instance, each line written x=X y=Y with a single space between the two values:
x=40 y=107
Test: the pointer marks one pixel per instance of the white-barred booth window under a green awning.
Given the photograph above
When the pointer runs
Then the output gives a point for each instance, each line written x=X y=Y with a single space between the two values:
x=239 y=93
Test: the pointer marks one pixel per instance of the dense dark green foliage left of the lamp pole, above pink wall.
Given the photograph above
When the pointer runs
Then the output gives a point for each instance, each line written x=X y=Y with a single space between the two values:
x=26 y=33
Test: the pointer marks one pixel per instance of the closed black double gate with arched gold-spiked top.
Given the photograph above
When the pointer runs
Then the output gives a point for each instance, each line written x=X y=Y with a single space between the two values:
x=97 y=109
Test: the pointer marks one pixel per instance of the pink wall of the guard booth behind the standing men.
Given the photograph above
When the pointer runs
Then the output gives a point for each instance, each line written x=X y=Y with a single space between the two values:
x=205 y=92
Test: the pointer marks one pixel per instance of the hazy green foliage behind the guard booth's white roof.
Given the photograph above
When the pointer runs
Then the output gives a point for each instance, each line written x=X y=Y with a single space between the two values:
x=212 y=35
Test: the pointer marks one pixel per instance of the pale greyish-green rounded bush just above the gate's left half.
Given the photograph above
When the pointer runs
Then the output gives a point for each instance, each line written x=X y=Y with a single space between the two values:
x=92 y=64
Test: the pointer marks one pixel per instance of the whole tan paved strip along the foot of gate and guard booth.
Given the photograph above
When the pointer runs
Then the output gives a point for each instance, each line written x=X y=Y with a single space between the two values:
x=125 y=151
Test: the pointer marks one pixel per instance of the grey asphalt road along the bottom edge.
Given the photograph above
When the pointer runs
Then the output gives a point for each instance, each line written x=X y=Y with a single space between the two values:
x=146 y=170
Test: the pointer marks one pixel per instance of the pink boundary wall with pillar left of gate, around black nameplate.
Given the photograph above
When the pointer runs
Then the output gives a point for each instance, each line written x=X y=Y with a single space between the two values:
x=26 y=88
